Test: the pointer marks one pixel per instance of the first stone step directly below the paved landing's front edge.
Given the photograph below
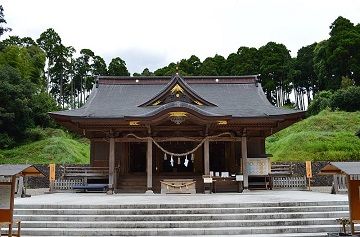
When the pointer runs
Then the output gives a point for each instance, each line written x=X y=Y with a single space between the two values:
x=159 y=211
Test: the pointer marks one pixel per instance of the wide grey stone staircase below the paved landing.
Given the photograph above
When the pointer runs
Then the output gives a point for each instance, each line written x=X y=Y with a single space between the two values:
x=246 y=219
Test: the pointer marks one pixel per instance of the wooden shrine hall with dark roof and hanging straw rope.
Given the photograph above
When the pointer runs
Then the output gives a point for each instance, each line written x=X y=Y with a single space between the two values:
x=152 y=130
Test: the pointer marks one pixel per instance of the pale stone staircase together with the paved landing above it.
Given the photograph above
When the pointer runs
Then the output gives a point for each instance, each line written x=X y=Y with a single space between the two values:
x=254 y=213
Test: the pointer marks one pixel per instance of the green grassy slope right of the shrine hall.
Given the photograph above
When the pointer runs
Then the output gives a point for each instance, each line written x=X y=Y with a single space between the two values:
x=328 y=136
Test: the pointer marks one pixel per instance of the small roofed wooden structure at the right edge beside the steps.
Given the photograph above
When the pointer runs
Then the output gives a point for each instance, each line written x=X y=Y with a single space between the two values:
x=352 y=172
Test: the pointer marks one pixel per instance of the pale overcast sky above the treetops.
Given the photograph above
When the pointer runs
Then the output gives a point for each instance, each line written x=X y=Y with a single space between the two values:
x=153 y=33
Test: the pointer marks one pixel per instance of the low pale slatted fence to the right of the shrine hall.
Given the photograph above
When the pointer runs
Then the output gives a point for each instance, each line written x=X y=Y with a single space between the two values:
x=289 y=182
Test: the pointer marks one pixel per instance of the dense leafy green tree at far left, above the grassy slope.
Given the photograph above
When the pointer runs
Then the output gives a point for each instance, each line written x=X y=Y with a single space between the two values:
x=23 y=104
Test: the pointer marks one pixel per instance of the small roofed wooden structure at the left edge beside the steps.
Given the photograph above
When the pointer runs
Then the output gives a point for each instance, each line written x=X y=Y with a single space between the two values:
x=8 y=174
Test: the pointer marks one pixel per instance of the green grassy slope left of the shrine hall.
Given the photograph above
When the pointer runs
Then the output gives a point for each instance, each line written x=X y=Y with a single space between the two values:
x=57 y=146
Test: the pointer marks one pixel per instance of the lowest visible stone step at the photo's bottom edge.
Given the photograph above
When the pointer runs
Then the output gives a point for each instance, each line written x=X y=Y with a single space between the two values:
x=179 y=231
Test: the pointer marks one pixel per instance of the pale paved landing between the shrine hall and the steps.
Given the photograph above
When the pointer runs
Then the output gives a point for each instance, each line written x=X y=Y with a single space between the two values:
x=116 y=199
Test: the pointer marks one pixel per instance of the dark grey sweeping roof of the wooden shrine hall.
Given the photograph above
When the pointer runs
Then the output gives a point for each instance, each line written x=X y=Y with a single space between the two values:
x=231 y=96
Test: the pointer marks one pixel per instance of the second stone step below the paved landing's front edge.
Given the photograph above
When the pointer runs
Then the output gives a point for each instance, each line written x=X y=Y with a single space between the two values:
x=181 y=217
